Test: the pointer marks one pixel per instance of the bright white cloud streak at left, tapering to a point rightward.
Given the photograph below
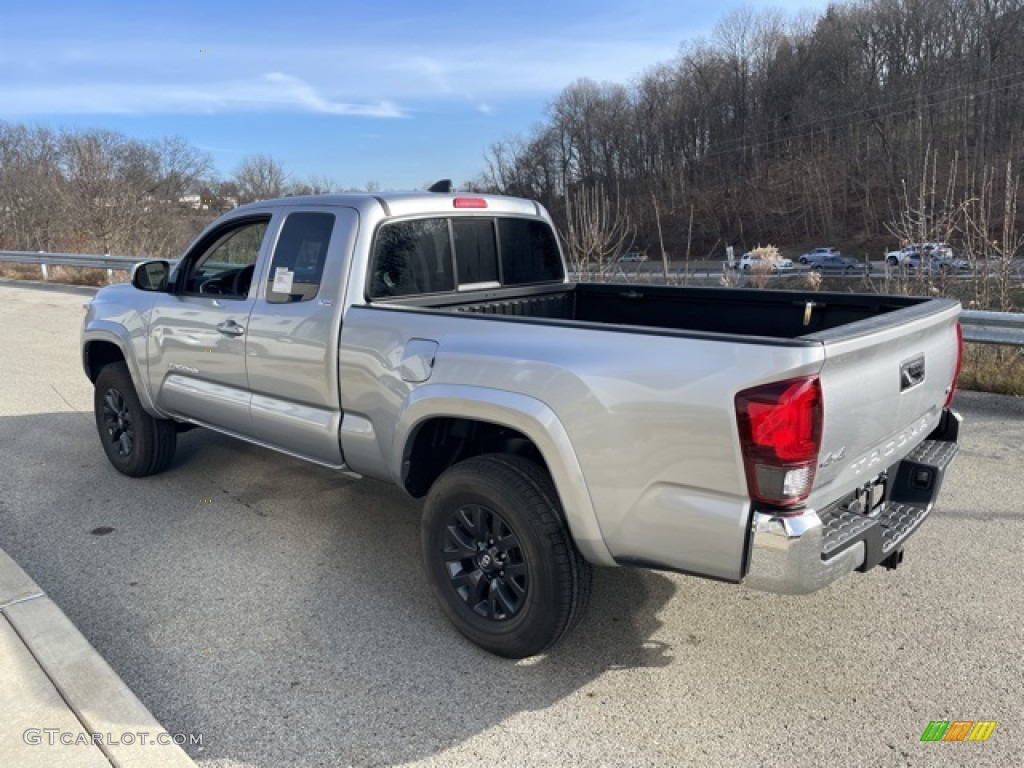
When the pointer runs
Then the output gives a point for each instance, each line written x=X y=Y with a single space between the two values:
x=270 y=93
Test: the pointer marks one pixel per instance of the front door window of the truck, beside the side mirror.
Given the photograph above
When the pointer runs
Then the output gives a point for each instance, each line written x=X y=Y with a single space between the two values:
x=227 y=262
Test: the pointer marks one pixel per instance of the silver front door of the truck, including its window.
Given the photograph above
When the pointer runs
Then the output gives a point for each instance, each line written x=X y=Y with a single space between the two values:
x=198 y=331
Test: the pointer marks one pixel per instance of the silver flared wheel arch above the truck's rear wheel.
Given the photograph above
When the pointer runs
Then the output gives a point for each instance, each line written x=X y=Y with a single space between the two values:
x=444 y=424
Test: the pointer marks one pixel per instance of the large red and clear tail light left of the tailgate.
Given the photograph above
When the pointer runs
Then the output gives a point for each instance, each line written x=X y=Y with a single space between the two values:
x=781 y=436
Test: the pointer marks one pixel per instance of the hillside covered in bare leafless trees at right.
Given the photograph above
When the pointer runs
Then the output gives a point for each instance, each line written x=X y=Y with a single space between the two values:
x=881 y=120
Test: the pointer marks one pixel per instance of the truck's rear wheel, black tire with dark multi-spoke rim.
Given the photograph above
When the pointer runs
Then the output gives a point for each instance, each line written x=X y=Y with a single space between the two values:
x=514 y=600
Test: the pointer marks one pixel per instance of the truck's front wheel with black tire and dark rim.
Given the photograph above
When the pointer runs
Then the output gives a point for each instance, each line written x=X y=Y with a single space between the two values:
x=137 y=444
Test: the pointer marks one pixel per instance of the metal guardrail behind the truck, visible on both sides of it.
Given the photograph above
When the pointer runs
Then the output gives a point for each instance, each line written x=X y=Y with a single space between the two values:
x=979 y=327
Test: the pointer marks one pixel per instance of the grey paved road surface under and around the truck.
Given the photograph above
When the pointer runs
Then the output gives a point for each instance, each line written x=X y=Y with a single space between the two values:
x=278 y=611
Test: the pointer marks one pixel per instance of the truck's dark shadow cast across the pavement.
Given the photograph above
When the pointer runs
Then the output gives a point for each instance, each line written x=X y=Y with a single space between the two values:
x=279 y=610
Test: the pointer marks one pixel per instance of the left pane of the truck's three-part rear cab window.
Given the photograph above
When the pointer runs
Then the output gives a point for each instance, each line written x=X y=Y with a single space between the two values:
x=412 y=258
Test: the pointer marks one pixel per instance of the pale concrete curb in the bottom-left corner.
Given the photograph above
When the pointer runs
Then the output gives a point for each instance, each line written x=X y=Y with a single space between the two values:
x=61 y=703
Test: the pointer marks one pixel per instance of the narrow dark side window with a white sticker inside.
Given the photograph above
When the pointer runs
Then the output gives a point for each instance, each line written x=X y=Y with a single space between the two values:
x=297 y=268
